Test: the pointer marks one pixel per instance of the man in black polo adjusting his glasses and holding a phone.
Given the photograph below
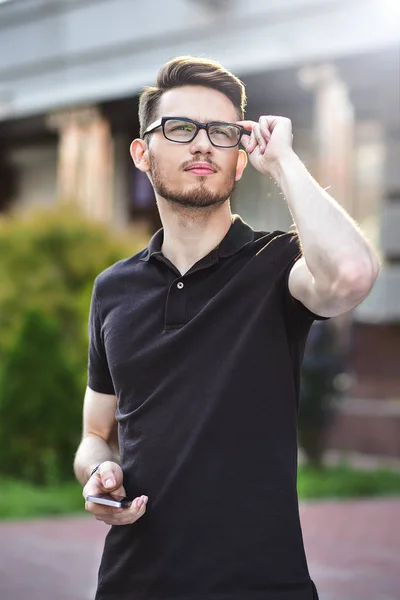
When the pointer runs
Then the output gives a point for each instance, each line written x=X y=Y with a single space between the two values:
x=195 y=352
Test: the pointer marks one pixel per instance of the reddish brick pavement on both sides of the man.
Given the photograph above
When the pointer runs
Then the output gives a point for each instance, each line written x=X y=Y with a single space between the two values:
x=353 y=551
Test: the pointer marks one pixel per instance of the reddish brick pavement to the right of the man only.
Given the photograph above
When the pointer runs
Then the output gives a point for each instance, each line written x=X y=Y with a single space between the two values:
x=353 y=548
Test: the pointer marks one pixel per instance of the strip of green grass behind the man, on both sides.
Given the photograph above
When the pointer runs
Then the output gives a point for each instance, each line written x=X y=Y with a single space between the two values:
x=19 y=500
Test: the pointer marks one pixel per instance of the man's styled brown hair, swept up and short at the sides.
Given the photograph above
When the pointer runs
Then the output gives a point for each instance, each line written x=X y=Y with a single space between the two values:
x=188 y=70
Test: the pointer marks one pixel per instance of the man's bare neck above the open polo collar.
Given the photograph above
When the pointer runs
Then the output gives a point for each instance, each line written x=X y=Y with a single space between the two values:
x=191 y=234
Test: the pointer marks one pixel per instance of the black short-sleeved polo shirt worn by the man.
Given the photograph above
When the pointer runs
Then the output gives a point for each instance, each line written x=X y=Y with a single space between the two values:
x=206 y=369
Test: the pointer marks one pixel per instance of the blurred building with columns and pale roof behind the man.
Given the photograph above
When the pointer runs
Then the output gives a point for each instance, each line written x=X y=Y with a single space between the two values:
x=70 y=75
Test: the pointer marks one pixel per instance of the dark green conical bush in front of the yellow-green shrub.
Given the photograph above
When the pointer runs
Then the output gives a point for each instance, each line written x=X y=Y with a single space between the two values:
x=39 y=411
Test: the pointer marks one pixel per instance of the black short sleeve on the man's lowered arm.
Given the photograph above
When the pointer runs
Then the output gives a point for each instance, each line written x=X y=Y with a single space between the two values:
x=99 y=377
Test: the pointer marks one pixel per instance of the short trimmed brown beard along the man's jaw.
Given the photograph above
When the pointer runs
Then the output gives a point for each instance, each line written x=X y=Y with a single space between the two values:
x=198 y=197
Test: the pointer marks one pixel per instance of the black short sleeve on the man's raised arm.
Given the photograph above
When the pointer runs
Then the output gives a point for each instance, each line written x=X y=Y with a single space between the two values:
x=287 y=254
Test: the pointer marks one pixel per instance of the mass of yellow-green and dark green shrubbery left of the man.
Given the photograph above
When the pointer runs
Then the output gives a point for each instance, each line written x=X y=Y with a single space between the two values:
x=48 y=262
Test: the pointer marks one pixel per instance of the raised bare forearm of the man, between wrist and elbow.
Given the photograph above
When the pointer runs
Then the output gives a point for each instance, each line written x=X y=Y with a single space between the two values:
x=332 y=243
